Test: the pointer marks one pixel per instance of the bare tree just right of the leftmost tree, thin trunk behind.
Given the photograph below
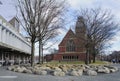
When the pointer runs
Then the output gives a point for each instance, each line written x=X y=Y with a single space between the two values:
x=50 y=21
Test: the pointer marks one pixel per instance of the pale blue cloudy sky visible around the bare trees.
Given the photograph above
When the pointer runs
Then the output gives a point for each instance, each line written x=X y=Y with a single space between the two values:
x=8 y=10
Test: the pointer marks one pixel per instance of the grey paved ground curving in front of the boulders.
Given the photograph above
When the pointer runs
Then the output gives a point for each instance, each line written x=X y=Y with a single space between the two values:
x=13 y=76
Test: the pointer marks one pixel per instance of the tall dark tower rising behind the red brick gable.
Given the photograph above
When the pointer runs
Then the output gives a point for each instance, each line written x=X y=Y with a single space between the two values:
x=80 y=29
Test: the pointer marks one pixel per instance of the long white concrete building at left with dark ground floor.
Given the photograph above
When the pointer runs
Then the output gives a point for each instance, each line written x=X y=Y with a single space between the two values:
x=13 y=45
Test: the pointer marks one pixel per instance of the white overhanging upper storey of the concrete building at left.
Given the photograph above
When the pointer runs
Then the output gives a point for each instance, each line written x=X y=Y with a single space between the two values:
x=11 y=38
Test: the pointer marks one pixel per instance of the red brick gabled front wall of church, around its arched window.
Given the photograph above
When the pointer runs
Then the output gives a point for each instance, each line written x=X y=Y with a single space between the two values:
x=62 y=47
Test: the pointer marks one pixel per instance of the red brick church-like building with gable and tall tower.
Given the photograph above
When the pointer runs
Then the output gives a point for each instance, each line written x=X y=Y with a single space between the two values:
x=72 y=46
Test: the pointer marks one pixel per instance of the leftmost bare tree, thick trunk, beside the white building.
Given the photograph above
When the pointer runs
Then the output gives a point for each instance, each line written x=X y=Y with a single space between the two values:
x=29 y=15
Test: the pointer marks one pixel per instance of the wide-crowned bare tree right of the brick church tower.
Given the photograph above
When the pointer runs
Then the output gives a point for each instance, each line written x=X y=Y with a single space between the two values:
x=100 y=28
